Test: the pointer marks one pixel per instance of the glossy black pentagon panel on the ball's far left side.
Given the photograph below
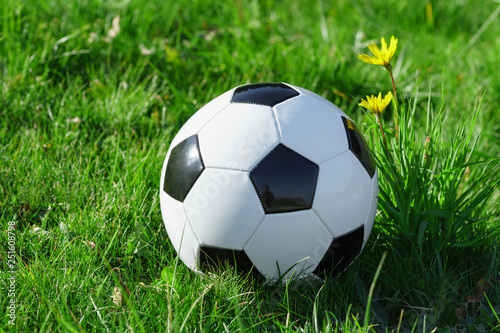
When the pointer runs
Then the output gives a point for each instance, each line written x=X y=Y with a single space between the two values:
x=184 y=166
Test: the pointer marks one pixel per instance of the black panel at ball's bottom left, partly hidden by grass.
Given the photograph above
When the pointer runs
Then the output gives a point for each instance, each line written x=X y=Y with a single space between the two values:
x=217 y=259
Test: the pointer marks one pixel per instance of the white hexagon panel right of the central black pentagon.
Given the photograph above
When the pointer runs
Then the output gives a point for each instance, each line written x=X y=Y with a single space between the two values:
x=344 y=194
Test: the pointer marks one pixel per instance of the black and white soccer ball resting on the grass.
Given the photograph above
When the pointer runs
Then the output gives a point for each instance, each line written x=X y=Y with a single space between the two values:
x=270 y=178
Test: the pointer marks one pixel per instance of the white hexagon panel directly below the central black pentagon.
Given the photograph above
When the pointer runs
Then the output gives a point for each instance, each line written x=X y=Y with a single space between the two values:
x=297 y=238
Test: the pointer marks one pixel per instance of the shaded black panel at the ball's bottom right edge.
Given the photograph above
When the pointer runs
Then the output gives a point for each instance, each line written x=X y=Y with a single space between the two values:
x=341 y=253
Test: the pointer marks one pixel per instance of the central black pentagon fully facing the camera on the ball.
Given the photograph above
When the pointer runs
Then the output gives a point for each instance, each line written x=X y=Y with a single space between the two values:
x=285 y=181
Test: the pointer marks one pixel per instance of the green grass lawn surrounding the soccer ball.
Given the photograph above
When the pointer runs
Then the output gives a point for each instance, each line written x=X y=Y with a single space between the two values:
x=87 y=118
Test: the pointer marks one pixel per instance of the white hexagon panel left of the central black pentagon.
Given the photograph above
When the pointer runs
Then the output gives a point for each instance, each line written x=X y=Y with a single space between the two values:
x=224 y=208
